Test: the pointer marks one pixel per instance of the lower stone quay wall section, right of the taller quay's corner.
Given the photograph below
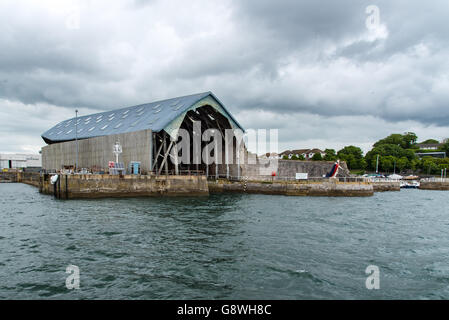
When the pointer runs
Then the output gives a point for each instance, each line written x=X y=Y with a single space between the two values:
x=329 y=188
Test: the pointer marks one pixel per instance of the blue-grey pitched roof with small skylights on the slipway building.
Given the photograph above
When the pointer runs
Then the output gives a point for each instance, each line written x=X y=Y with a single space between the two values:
x=155 y=116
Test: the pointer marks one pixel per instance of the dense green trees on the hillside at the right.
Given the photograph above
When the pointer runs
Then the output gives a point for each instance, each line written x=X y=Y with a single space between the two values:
x=397 y=152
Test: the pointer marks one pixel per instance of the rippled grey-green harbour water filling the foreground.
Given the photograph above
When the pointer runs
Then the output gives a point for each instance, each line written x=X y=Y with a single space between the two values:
x=229 y=246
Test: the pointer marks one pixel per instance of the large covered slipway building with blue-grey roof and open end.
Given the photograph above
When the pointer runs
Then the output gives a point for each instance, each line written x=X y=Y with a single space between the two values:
x=144 y=133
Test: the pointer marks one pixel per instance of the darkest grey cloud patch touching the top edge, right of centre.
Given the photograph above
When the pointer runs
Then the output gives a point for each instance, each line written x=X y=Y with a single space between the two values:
x=299 y=22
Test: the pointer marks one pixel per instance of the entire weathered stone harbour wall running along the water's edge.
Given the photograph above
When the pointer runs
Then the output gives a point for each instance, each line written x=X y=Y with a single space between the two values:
x=99 y=186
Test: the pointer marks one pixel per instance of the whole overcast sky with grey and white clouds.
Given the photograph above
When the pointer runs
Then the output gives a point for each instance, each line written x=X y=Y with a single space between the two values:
x=312 y=69
